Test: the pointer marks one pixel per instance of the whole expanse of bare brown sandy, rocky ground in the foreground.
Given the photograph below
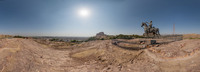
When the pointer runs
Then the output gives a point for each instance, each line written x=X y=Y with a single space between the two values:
x=26 y=55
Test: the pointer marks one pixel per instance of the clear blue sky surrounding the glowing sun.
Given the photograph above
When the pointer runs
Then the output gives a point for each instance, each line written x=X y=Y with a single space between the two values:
x=61 y=18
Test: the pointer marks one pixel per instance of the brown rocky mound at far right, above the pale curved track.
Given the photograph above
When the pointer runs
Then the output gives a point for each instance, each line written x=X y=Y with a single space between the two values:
x=179 y=49
